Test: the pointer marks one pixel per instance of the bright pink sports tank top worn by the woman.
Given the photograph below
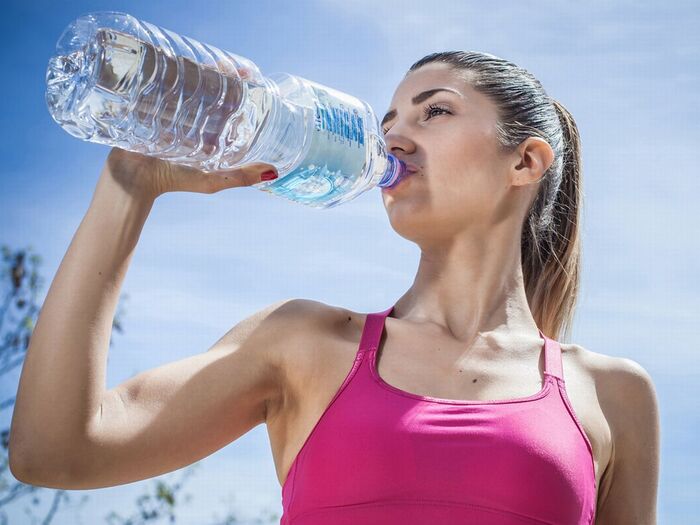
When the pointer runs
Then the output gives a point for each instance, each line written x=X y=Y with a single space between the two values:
x=381 y=455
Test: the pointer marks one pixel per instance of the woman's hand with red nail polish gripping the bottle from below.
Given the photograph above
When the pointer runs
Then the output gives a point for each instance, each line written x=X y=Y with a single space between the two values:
x=142 y=175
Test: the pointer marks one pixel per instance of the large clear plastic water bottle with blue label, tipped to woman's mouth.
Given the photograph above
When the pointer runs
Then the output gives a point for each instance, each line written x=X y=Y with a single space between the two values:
x=123 y=82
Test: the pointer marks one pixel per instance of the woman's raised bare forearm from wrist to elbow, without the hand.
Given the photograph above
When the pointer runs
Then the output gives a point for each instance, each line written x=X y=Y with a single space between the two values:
x=62 y=383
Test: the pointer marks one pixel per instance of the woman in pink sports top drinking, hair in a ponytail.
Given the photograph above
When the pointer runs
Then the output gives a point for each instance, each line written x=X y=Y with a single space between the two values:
x=450 y=406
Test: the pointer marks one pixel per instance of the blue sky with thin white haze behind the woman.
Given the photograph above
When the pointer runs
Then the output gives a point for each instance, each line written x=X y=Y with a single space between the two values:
x=627 y=71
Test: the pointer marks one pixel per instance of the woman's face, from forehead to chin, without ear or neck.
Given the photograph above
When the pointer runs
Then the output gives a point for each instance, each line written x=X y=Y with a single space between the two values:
x=462 y=179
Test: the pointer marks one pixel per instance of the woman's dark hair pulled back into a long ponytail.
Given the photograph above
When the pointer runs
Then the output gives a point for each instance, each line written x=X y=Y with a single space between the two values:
x=550 y=240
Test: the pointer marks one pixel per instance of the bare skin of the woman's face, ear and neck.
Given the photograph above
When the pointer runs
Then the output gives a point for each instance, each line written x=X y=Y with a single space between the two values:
x=464 y=209
